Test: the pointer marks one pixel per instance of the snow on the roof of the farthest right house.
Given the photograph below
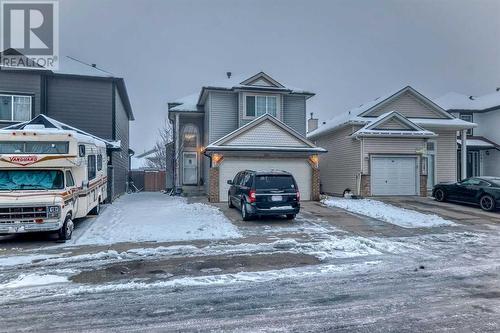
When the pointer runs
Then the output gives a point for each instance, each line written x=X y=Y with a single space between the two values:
x=457 y=101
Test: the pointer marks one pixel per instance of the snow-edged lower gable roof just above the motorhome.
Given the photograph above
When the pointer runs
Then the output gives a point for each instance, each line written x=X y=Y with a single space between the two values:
x=42 y=123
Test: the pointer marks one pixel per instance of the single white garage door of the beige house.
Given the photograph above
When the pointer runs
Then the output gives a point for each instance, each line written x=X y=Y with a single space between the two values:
x=394 y=176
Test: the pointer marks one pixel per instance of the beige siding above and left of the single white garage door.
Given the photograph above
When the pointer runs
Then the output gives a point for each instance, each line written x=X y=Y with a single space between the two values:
x=389 y=146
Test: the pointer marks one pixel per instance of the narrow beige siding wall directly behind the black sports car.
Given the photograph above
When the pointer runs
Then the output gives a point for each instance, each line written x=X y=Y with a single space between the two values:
x=446 y=155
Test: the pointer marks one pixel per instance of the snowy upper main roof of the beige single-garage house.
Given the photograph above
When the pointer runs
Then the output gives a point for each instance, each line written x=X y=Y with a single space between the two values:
x=360 y=115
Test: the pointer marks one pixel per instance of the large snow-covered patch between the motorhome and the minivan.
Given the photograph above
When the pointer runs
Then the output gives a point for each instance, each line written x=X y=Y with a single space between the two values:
x=156 y=217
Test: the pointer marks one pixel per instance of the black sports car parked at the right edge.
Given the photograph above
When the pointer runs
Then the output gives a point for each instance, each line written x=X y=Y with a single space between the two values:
x=482 y=191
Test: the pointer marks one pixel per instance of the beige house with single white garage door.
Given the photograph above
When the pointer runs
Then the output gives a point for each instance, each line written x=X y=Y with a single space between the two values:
x=400 y=144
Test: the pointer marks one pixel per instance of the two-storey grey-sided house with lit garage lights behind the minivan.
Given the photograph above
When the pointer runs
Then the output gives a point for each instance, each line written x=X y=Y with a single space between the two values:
x=251 y=123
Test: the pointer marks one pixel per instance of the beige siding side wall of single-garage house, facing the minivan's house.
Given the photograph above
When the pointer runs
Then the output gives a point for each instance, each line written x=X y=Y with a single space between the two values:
x=341 y=165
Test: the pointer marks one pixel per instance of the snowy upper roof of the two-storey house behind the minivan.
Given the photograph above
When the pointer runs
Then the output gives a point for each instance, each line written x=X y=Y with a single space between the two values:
x=258 y=82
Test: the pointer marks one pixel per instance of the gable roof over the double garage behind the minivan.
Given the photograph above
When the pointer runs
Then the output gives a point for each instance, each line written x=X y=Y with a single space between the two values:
x=228 y=142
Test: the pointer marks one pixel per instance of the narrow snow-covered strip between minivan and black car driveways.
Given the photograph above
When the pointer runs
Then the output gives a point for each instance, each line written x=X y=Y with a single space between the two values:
x=405 y=218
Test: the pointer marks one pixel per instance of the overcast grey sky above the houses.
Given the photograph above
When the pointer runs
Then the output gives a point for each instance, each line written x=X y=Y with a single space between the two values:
x=347 y=52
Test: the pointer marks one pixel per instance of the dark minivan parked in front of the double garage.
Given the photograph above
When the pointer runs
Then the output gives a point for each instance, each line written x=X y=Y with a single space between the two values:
x=264 y=193
